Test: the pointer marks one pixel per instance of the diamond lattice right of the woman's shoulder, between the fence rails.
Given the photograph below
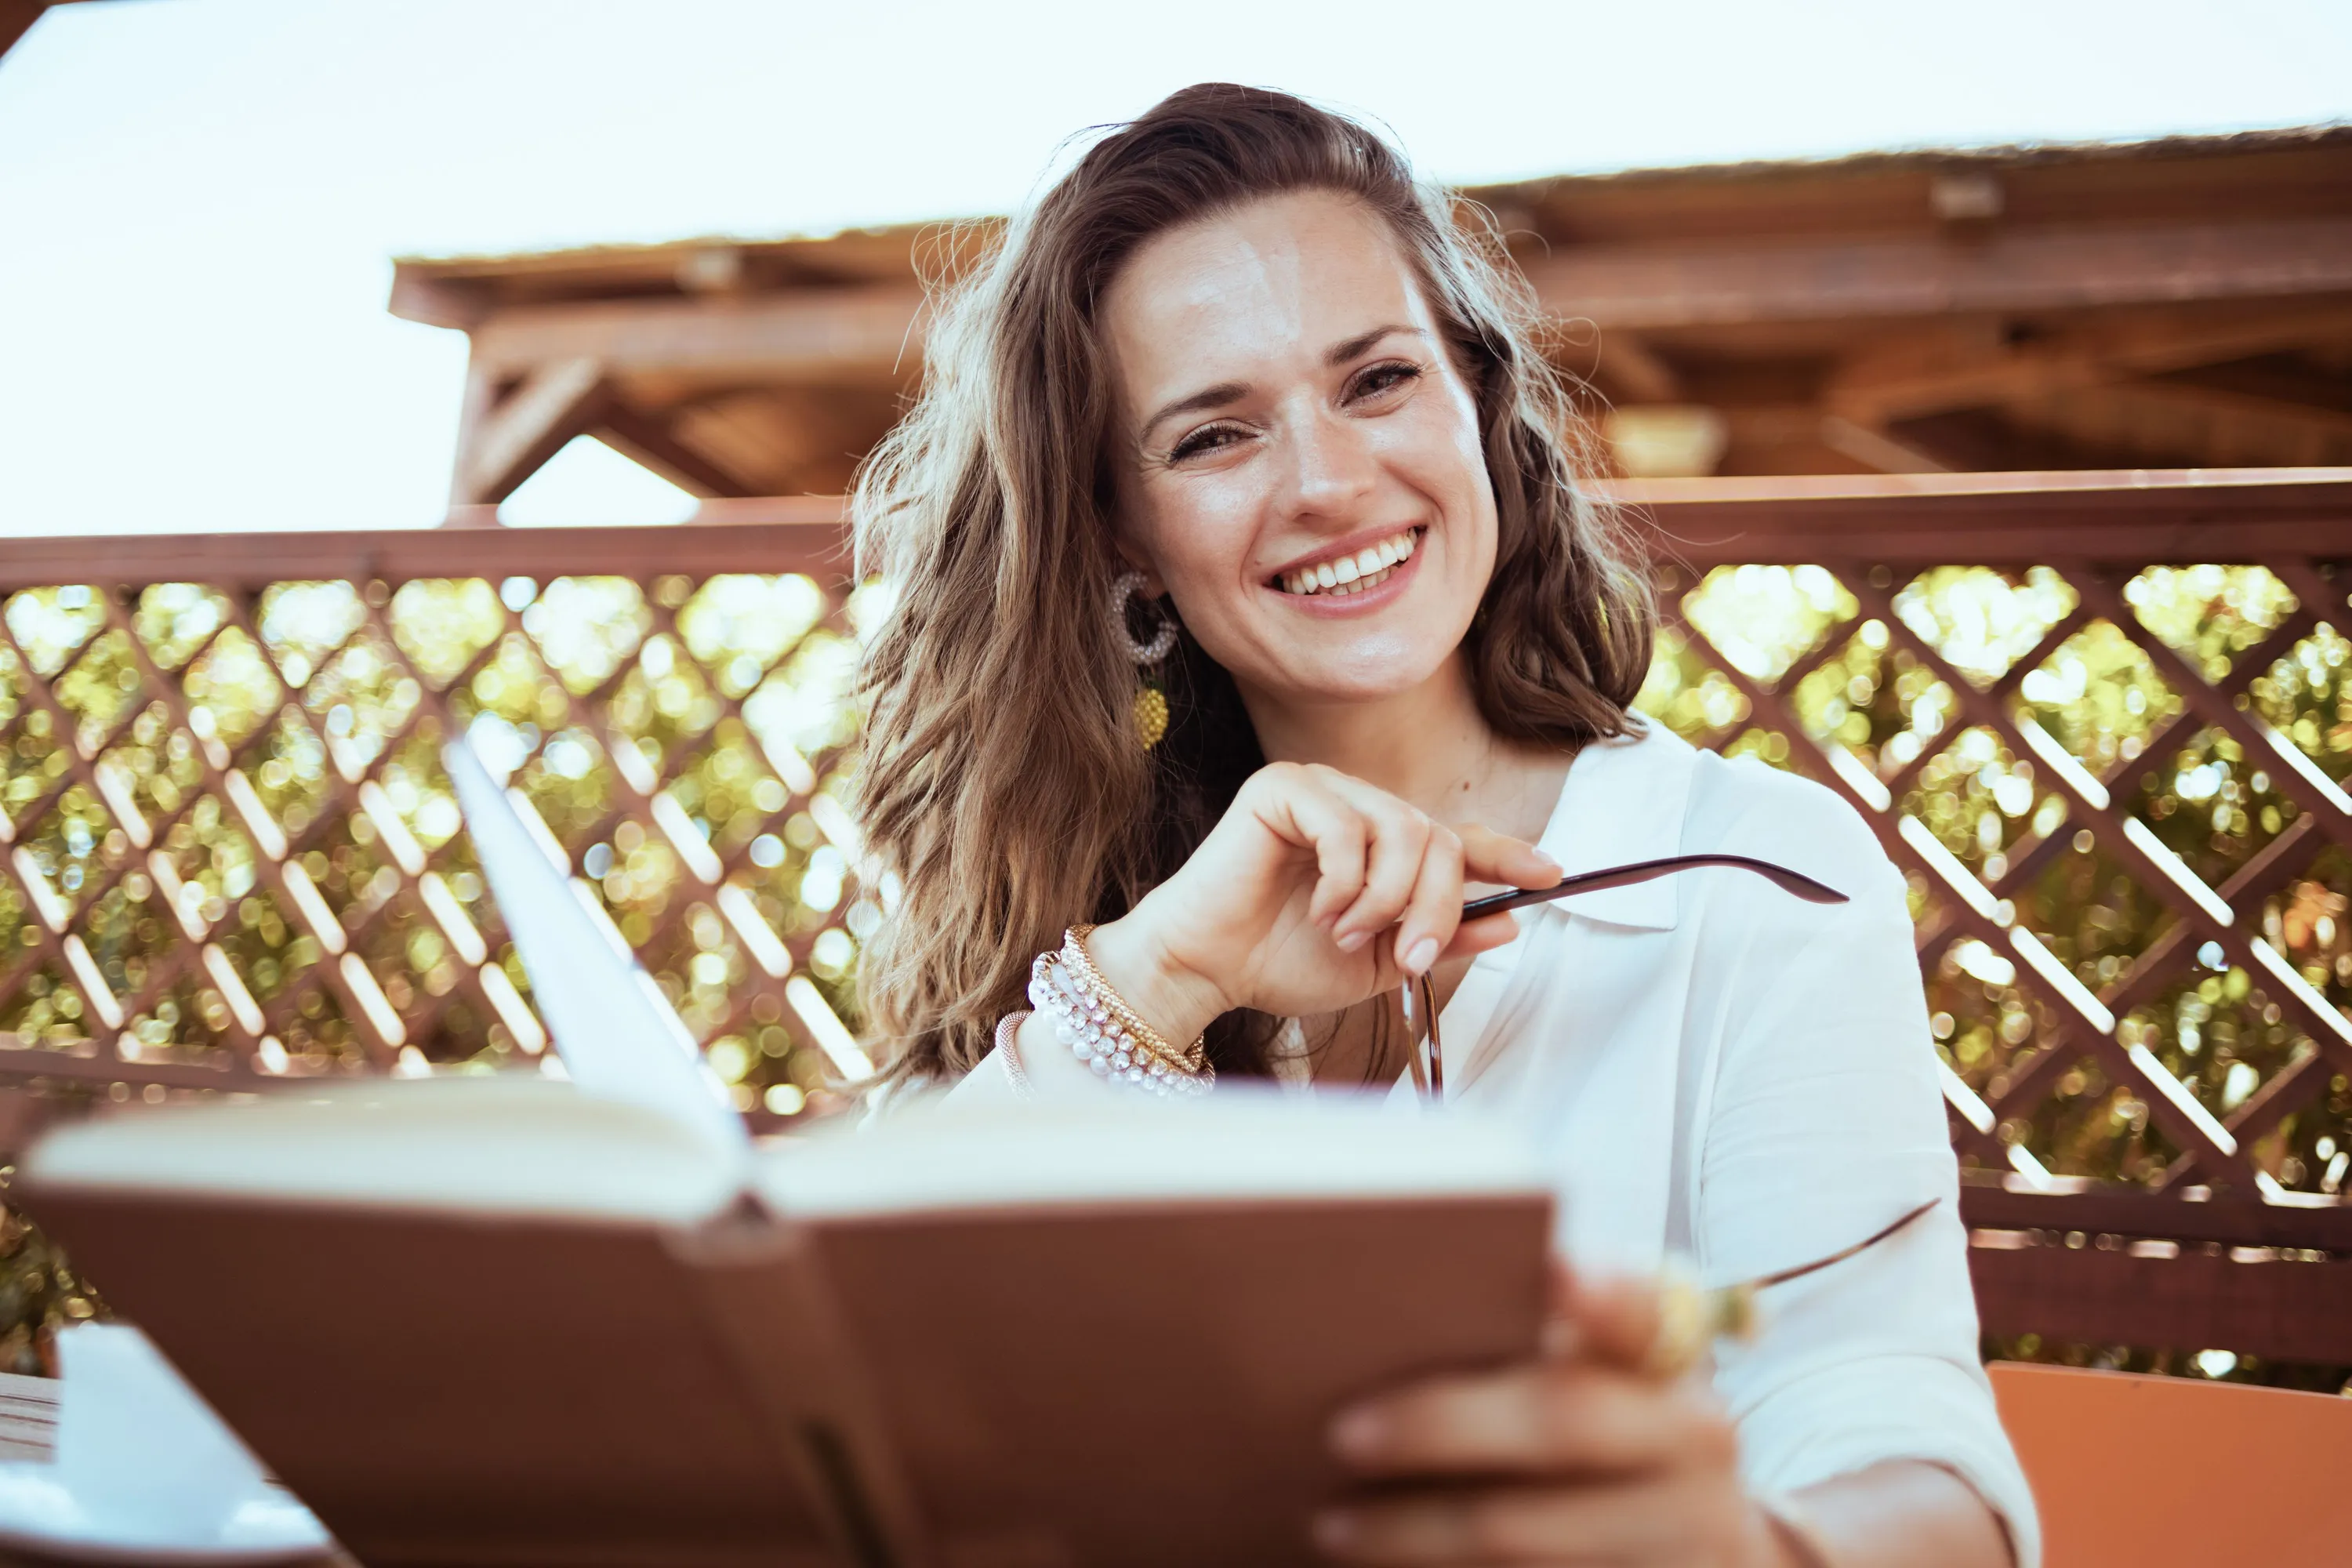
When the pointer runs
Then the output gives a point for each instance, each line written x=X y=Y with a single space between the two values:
x=2120 y=808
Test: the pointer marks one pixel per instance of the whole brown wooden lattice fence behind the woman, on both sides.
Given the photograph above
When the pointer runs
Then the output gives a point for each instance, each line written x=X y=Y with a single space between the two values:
x=2102 y=721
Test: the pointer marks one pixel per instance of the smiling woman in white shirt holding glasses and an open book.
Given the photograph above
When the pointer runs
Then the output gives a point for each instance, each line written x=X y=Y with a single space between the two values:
x=1243 y=434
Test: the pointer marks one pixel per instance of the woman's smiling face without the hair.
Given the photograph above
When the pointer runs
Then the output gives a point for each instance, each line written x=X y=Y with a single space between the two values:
x=1297 y=455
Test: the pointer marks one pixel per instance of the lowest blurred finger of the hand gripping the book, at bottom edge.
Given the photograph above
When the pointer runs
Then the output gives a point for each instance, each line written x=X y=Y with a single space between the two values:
x=1511 y=1525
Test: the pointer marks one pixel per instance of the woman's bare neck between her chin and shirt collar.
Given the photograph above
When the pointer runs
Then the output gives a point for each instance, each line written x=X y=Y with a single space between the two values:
x=1429 y=746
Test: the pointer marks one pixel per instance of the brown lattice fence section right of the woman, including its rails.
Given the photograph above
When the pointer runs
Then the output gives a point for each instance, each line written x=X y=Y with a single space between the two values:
x=2104 y=725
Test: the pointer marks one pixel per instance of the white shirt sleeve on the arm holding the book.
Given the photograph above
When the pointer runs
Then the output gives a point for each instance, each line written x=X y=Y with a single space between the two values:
x=1826 y=1123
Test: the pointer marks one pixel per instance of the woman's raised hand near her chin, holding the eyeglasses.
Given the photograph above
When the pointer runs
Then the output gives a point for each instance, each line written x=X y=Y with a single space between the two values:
x=1311 y=894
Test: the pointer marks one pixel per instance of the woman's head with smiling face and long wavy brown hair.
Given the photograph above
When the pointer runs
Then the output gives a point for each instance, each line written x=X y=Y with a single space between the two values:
x=1067 y=434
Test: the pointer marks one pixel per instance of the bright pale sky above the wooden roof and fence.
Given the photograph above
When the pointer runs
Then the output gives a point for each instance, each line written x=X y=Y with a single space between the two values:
x=201 y=199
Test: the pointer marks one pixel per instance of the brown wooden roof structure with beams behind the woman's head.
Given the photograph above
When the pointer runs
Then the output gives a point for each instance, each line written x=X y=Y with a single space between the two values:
x=2163 y=304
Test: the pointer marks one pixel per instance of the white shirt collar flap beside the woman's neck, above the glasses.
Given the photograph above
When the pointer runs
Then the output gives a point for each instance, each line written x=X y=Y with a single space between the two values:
x=1624 y=800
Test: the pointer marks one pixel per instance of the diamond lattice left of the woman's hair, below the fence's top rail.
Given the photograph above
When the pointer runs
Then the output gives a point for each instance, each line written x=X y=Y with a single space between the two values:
x=229 y=852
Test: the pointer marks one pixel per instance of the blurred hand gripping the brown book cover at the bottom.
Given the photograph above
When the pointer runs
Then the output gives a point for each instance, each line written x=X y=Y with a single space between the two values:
x=1586 y=1456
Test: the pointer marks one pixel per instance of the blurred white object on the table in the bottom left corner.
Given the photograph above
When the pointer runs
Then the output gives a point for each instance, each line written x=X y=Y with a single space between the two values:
x=145 y=1473
